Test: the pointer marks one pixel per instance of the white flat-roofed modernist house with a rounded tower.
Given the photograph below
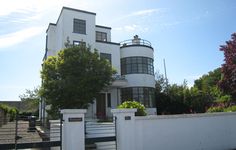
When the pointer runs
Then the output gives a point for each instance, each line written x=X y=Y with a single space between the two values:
x=133 y=59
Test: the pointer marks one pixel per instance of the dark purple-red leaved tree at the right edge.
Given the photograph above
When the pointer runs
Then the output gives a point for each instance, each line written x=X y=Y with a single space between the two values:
x=228 y=81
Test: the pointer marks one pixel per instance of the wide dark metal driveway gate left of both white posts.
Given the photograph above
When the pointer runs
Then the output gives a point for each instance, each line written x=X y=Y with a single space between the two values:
x=24 y=133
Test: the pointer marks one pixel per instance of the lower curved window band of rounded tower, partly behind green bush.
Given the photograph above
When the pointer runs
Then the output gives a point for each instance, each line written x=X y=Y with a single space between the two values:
x=144 y=95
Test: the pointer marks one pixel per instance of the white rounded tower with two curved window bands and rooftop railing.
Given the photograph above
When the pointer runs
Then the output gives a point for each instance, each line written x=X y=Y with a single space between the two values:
x=137 y=67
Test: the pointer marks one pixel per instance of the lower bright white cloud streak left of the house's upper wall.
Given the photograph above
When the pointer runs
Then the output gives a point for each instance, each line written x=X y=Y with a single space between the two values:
x=11 y=39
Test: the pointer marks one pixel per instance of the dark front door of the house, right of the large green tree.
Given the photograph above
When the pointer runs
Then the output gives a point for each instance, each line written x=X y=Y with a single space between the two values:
x=101 y=105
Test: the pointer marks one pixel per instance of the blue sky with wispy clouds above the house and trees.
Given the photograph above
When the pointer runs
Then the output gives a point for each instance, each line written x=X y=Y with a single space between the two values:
x=186 y=33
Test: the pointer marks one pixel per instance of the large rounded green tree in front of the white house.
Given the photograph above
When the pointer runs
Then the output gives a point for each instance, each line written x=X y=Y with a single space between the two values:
x=74 y=77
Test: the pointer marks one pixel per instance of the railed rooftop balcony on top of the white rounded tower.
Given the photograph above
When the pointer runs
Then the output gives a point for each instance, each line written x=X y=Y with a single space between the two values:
x=135 y=41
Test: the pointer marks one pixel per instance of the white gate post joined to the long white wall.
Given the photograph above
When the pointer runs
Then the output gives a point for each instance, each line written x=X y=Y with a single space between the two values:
x=125 y=127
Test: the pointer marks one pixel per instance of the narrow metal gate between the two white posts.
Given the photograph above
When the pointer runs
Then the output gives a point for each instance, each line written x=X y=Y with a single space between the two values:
x=100 y=135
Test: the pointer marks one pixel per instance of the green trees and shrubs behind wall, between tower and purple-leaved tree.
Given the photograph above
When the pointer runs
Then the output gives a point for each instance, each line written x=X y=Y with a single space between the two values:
x=177 y=99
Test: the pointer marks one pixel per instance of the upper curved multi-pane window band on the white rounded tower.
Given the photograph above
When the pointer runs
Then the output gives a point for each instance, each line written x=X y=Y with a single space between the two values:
x=142 y=65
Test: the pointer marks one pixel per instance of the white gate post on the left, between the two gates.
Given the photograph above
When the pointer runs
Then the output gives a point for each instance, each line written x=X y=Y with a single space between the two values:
x=73 y=137
